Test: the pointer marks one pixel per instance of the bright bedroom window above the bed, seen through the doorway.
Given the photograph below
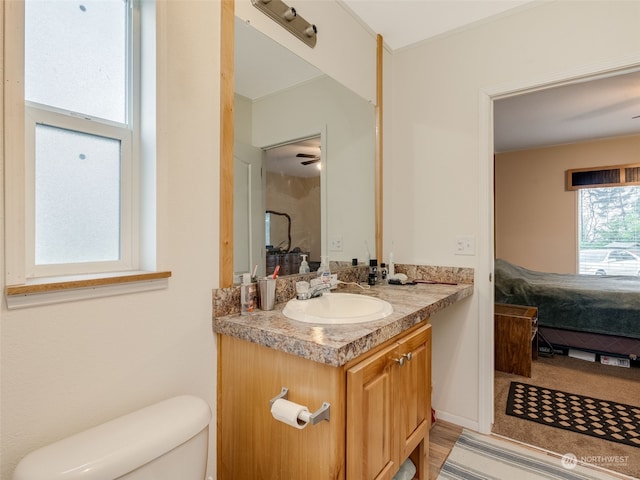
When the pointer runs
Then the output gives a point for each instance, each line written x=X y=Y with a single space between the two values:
x=609 y=231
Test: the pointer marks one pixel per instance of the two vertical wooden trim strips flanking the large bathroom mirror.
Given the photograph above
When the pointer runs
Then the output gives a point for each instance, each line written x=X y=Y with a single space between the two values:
x=227 y=90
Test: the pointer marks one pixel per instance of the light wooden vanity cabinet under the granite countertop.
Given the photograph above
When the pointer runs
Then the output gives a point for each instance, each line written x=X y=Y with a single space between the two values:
x=380 y=412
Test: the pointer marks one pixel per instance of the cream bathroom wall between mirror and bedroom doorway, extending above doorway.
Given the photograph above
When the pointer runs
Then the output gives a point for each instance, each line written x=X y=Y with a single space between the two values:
x=439 y=159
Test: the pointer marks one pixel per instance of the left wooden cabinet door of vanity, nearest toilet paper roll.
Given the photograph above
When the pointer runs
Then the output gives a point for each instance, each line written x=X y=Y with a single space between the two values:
x=371 y=451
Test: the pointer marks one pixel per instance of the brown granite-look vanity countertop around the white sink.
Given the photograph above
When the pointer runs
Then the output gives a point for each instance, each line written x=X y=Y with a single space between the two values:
x=338 y=344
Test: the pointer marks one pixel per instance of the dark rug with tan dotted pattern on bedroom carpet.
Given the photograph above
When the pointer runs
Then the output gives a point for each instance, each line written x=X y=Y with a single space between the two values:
x=603 y=419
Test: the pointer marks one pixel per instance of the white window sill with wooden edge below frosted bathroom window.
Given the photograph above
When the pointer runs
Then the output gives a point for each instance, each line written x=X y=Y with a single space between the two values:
x=44 y=291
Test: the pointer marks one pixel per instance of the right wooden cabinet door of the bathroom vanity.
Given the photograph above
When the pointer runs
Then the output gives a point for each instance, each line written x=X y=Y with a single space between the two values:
x=414 y=390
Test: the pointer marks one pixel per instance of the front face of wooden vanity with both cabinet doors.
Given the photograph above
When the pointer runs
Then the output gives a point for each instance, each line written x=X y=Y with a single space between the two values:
x=389 y=408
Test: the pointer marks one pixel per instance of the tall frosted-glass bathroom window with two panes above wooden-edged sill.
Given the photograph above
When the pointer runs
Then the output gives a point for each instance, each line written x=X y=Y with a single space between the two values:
x=80 y=130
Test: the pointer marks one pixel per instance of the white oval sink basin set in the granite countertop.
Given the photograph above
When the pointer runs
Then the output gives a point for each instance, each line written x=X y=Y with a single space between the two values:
x=337 y=309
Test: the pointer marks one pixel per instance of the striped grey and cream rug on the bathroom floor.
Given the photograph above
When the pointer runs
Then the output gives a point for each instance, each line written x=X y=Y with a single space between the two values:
x=481 y=457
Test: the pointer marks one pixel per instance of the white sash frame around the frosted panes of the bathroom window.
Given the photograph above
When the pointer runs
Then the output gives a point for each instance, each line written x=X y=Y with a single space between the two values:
x=35 y=114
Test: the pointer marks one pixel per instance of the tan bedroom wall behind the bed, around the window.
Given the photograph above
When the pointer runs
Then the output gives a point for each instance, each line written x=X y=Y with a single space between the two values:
x=535 y=216
